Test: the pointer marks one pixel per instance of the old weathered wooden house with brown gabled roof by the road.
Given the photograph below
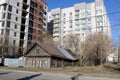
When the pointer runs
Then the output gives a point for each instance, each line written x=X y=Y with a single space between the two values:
x=45 y=56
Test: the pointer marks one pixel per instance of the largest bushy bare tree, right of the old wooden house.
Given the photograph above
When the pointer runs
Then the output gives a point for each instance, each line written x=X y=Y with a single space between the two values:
x=95 y=49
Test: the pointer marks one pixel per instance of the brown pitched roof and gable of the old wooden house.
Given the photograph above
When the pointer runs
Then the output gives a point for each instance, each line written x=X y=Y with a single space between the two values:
x=48 y=51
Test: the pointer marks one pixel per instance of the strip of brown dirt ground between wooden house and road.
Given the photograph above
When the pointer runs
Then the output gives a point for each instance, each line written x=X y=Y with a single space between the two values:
x=106 y=70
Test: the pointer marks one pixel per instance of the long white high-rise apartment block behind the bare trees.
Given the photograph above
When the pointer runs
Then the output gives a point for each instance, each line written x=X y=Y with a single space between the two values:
x=81 y=19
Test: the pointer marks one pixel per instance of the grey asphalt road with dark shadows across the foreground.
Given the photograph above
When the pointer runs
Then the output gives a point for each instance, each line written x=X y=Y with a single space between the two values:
x=25 y=75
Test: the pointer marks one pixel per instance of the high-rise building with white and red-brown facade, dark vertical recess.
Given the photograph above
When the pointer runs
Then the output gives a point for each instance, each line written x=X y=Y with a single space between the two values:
x=21 y=24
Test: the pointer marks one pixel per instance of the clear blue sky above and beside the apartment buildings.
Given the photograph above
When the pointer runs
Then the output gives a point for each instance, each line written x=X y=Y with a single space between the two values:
x=112 y=7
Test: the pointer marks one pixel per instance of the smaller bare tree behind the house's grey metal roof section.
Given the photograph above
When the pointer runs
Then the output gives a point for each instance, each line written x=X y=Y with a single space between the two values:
x=73 y=42
